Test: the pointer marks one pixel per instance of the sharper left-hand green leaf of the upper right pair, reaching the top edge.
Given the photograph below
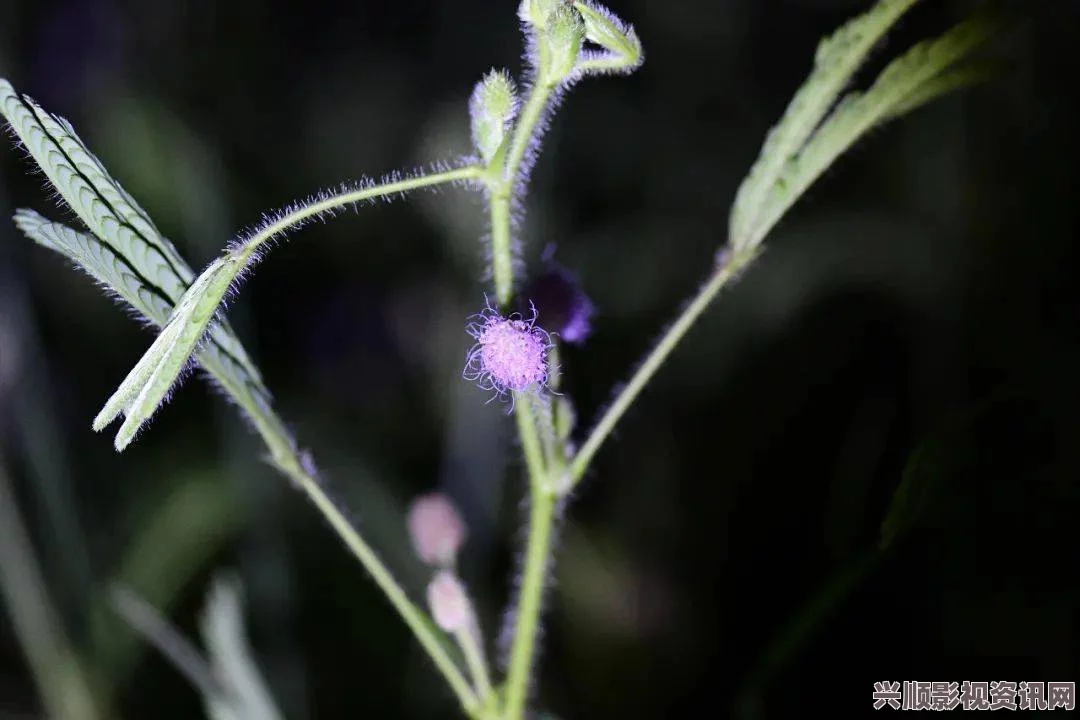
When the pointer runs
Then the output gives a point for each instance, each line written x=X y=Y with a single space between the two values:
x=838 y=60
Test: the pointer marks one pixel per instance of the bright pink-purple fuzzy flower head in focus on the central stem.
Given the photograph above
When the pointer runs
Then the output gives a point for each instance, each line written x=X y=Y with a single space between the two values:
x=510 y=355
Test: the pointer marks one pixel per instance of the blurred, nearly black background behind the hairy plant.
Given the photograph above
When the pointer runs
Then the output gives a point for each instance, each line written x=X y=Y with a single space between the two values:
x=914 y=318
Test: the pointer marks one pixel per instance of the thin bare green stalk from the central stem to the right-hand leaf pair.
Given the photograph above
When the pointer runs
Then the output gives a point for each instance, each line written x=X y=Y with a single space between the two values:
x=653 y=362
